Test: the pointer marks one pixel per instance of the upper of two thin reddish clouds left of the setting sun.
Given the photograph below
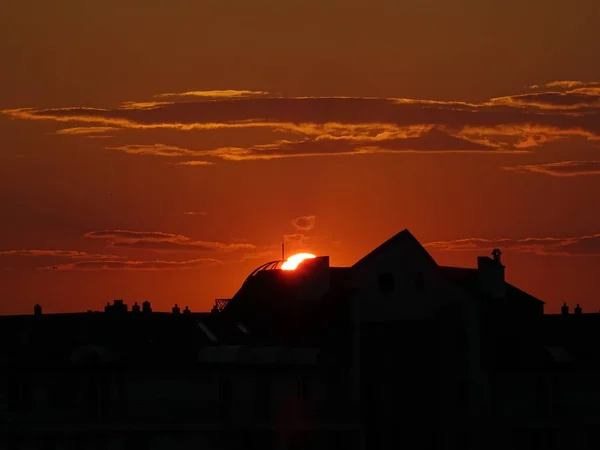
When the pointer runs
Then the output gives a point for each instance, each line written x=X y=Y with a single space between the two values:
x=159 y=241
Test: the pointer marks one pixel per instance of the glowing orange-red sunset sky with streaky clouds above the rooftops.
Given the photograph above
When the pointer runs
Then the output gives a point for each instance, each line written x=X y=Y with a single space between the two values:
x=161 y=150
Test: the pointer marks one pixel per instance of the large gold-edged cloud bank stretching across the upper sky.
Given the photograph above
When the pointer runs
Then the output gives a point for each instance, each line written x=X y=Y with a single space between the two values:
x=346 y=125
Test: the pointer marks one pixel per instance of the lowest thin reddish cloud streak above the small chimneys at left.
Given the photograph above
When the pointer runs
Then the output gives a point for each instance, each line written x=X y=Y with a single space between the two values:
x=134 y=265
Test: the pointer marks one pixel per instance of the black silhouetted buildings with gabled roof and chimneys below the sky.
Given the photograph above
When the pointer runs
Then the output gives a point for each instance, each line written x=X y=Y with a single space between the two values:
x=395 y=351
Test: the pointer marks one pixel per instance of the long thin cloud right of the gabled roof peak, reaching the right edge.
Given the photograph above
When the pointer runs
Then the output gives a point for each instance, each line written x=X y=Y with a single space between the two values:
x=555 y=246
